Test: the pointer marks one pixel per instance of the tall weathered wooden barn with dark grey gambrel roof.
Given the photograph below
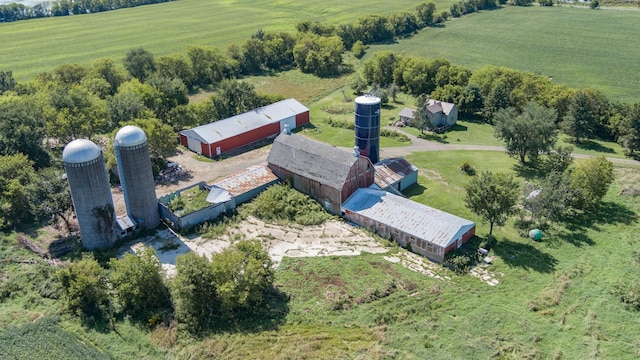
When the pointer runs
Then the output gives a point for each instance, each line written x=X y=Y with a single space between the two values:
x=326 y=173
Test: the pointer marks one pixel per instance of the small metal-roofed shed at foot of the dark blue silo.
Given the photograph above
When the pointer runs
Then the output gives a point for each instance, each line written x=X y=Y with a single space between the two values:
x=396 y=173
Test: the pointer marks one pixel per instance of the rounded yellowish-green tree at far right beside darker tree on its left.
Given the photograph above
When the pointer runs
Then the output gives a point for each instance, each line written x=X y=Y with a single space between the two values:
x=590 y=179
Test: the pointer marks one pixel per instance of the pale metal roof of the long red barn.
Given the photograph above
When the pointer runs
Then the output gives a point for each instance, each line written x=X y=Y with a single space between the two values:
x=236 y=125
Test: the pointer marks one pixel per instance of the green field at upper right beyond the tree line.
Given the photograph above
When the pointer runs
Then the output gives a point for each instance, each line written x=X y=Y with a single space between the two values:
x=575 y=46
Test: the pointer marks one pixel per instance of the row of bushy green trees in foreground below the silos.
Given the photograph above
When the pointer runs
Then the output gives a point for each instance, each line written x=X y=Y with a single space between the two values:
x=235 y=283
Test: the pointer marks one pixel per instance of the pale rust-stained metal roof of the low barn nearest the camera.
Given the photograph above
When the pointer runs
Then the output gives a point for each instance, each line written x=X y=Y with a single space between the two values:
x=424 y=222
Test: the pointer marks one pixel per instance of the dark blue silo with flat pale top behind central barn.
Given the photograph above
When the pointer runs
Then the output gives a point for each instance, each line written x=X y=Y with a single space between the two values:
x=368 y=126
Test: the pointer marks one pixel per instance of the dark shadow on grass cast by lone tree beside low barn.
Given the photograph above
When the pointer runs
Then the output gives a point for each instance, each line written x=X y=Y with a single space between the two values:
x=525 y=256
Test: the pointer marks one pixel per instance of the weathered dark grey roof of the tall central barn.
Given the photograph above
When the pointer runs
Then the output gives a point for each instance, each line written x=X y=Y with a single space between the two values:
x=312 y=159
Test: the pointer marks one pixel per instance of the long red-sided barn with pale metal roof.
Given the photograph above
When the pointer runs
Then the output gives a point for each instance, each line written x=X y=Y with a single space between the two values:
x=237 y=131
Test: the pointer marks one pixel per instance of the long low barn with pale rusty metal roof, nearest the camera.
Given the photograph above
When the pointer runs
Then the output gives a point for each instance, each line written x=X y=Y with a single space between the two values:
x=430 y=232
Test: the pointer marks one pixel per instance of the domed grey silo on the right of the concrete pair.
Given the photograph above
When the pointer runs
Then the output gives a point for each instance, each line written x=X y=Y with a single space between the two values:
x=134 y=167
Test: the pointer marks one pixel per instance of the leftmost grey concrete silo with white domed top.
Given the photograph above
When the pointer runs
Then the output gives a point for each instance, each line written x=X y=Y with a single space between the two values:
x=90 y=193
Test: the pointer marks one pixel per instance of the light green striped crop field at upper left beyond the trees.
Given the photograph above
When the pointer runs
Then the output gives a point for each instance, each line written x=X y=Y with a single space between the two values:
x=33 y=46
